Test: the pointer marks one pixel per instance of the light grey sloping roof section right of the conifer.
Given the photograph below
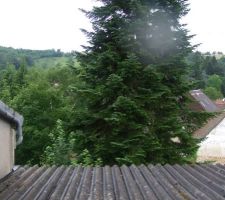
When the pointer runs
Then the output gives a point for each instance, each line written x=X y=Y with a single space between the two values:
x=206 y=103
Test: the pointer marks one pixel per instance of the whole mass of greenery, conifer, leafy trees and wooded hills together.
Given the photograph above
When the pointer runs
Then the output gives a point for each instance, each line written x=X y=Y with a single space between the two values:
x=126 y=101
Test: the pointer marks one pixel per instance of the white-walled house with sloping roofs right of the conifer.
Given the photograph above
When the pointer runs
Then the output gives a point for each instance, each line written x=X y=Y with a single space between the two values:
x=212 y=148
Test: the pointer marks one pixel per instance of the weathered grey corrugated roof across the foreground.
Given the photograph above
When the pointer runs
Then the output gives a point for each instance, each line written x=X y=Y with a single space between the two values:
x=123 y=183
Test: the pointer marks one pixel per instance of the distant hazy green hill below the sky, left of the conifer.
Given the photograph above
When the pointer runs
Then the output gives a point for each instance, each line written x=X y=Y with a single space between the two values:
x=43 y=58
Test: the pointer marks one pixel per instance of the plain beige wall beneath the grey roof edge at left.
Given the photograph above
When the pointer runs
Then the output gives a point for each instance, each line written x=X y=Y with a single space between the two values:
x=7 y=147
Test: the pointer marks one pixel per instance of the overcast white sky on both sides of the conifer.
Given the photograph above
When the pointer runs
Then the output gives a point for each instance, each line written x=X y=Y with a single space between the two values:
x=46 y=24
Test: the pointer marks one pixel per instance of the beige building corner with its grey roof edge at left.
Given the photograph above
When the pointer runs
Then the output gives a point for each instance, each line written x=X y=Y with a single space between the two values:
x=10 y=136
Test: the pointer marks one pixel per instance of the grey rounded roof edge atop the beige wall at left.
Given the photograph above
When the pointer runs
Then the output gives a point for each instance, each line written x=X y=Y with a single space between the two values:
x=13 y=117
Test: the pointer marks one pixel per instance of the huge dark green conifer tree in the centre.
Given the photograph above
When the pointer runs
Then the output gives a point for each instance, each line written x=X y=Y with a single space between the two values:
x=133 y=101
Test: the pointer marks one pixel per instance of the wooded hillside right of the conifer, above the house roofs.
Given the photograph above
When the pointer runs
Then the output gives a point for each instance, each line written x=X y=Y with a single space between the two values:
x=207 y=71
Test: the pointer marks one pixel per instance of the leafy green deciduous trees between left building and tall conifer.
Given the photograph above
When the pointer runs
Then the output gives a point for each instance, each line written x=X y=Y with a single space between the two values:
x=43 y=96
